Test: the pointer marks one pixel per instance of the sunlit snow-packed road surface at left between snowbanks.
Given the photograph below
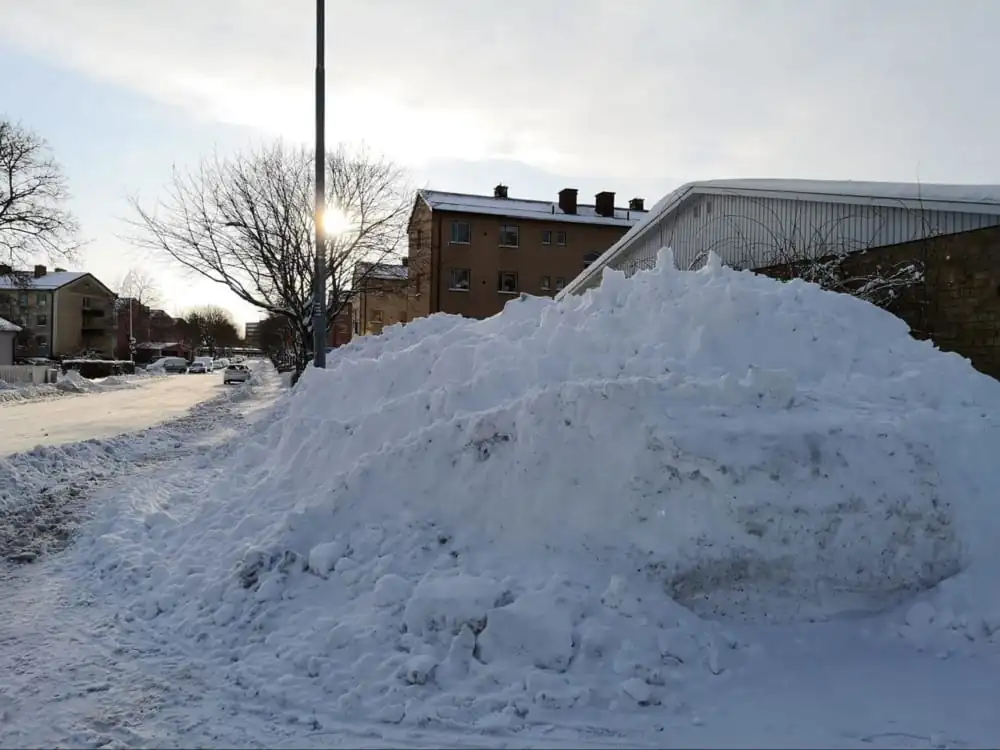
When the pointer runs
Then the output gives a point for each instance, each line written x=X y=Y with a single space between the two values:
x=100 y=415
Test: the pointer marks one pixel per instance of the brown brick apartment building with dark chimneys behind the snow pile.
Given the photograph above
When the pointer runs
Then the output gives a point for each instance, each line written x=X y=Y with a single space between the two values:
x=471 y=254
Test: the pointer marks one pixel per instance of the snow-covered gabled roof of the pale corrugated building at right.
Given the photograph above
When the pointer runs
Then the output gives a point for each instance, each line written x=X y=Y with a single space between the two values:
x=977 y=199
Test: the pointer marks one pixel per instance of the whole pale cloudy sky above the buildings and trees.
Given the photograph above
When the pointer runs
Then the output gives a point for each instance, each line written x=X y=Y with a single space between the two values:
x=633 y=96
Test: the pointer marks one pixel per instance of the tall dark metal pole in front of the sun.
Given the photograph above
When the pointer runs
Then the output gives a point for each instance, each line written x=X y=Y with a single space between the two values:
x=319 y=281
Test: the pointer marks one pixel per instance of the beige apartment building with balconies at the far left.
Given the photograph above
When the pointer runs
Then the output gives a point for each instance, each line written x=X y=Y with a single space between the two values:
x=63 y=313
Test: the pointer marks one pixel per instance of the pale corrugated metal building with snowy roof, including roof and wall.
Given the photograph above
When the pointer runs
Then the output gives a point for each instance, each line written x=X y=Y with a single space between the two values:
x=755 y=223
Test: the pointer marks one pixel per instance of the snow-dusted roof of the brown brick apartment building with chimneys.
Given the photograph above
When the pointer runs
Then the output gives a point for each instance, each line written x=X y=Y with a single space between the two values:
x=519 y=208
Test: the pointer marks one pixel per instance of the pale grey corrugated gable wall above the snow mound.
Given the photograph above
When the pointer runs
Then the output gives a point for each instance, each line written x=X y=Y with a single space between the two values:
x=752 y=232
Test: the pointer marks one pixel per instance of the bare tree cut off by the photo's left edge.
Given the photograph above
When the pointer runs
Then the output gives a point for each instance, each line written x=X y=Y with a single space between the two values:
x=33 y=193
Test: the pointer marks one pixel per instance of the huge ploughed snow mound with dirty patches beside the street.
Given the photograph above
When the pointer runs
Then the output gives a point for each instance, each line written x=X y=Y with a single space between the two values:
x=559 y=505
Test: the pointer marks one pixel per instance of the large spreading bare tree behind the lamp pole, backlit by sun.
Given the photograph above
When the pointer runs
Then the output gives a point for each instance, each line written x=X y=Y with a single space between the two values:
x=247 y=222
